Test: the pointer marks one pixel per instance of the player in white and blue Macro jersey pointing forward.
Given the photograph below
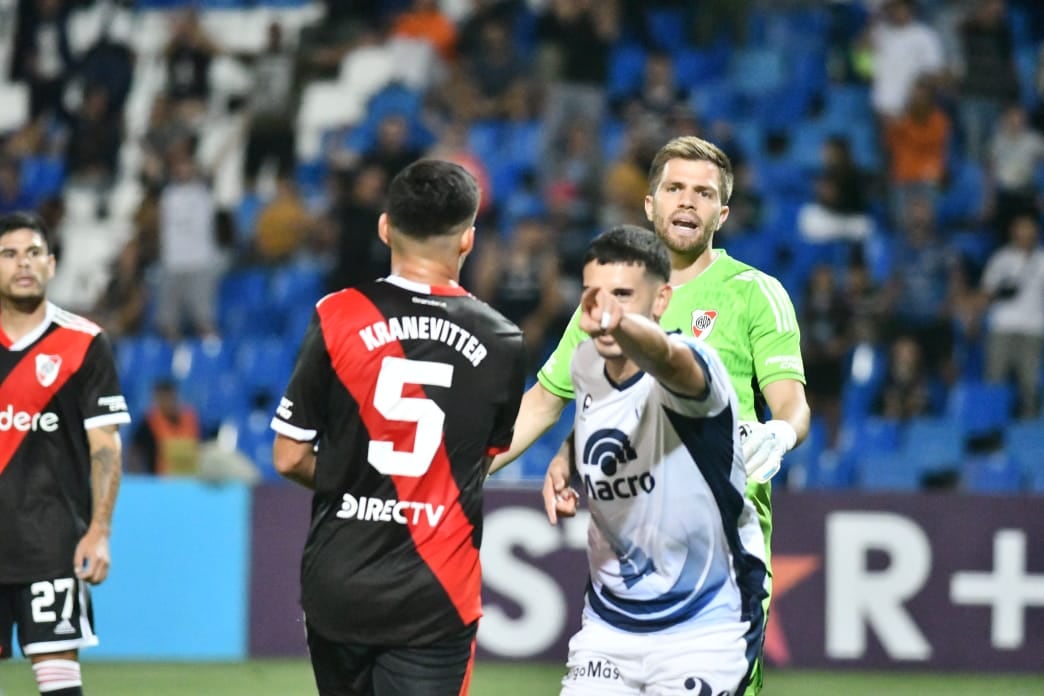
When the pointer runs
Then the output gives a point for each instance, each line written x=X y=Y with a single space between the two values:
x=677 y=557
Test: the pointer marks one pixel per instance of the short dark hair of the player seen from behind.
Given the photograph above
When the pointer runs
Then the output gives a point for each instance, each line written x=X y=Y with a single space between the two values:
x=432 y=199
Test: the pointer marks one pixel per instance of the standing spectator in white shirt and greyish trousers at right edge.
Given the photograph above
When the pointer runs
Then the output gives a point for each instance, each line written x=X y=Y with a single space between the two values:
x=1014 y=282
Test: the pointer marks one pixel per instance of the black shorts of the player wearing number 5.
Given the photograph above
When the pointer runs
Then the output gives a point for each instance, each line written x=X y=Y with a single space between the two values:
x=351 y=669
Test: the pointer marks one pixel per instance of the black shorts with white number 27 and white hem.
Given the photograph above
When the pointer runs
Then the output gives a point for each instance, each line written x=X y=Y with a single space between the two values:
x=53 y=616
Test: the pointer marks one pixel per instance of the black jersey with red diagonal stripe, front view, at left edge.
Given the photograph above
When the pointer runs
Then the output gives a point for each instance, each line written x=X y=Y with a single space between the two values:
x=56 y=383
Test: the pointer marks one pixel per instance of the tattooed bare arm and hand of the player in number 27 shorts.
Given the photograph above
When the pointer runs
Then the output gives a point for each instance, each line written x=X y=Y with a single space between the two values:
x=91 y=559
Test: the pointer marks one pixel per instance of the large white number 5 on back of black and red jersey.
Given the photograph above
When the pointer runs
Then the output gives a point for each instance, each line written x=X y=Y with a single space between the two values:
x=396 y=373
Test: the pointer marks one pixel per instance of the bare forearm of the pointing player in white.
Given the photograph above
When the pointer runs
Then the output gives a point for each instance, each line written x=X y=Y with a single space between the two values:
x=671 y=364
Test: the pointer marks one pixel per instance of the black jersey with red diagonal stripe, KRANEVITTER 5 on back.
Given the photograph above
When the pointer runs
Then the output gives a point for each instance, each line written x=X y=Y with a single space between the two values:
x=408 y=390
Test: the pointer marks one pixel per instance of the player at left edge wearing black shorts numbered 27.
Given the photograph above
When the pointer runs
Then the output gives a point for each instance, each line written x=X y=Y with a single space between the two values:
x=60 y=462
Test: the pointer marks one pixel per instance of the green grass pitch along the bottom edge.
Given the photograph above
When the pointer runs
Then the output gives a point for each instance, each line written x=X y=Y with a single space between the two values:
x=294 y=679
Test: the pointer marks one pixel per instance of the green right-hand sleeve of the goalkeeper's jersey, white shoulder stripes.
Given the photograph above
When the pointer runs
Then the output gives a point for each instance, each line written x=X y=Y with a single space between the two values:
x=775 y=337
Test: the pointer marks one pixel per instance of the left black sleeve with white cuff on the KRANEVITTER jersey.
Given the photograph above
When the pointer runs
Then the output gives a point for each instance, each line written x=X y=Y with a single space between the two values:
x=301 y=414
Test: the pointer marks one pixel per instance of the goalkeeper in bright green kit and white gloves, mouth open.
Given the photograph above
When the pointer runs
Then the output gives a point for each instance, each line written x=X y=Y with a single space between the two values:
x=742 y=313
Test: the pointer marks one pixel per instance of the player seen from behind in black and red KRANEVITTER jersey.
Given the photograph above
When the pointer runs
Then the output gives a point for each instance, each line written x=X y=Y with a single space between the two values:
x=405 y=390
